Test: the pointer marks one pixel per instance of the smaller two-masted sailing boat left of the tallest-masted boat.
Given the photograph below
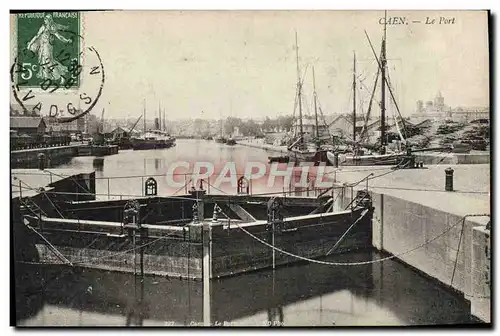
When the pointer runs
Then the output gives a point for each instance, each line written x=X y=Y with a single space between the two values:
x=299 y=151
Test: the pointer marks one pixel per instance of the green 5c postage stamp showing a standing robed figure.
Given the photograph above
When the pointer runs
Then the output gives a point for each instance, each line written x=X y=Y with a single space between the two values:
x=48 y=49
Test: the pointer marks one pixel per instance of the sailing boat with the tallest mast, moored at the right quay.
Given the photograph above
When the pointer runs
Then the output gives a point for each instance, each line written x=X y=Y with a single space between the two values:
x=358 y=156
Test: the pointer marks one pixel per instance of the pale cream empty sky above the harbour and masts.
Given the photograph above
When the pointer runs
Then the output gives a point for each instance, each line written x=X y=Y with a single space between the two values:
x=213 y=64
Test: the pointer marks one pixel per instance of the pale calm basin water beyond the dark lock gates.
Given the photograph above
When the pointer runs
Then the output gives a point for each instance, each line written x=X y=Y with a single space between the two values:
x=133 y=165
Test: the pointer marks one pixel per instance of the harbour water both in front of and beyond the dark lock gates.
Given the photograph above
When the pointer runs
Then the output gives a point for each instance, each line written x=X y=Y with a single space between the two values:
x=387 y=293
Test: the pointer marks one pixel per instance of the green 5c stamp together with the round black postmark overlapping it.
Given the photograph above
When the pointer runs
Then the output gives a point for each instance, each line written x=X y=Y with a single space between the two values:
x=47 y=72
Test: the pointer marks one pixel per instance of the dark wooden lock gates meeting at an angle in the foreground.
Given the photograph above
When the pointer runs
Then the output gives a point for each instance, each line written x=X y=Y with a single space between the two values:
x=173 y=235
